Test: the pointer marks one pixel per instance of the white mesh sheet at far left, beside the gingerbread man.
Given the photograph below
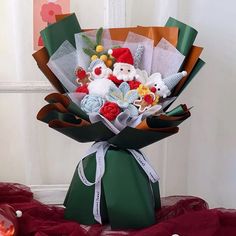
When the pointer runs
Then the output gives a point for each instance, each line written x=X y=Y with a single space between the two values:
x=63 y=63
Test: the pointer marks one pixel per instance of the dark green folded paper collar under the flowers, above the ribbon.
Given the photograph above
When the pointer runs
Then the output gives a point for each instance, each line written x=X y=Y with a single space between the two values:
x=99 y=132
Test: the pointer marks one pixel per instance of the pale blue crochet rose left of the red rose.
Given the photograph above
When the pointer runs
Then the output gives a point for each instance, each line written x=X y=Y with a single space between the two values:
x=91 y=103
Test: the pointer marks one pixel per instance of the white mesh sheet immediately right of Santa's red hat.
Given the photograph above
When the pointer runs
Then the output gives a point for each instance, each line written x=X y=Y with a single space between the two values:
x=133 y=41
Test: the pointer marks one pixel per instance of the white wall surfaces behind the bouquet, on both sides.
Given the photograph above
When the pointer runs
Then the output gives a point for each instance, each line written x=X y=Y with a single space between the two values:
x=200 y=160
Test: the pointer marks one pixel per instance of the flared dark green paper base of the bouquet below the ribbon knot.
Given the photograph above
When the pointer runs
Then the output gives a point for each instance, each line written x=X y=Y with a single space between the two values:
x=128 y=198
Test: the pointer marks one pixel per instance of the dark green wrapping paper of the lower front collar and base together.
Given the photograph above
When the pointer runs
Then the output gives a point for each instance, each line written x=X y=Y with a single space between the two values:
x=128 y=198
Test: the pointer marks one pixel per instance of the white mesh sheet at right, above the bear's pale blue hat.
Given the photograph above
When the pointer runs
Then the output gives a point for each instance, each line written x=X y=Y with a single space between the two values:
x=166 y=59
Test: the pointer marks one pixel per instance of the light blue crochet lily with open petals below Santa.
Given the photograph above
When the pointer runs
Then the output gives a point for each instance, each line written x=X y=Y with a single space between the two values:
x=123 y=97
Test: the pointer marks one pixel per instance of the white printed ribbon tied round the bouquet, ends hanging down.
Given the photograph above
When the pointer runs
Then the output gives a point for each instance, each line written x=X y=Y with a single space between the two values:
x=100 y=148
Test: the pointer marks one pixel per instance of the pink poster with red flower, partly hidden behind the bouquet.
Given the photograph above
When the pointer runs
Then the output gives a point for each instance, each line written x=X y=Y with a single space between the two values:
x=45 y=12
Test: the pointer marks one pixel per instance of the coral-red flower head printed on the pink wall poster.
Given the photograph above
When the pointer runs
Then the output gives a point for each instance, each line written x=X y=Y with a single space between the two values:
x=48 y=12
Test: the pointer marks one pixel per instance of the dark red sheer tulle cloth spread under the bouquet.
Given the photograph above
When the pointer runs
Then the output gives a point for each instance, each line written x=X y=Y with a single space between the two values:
x=185 y=216
